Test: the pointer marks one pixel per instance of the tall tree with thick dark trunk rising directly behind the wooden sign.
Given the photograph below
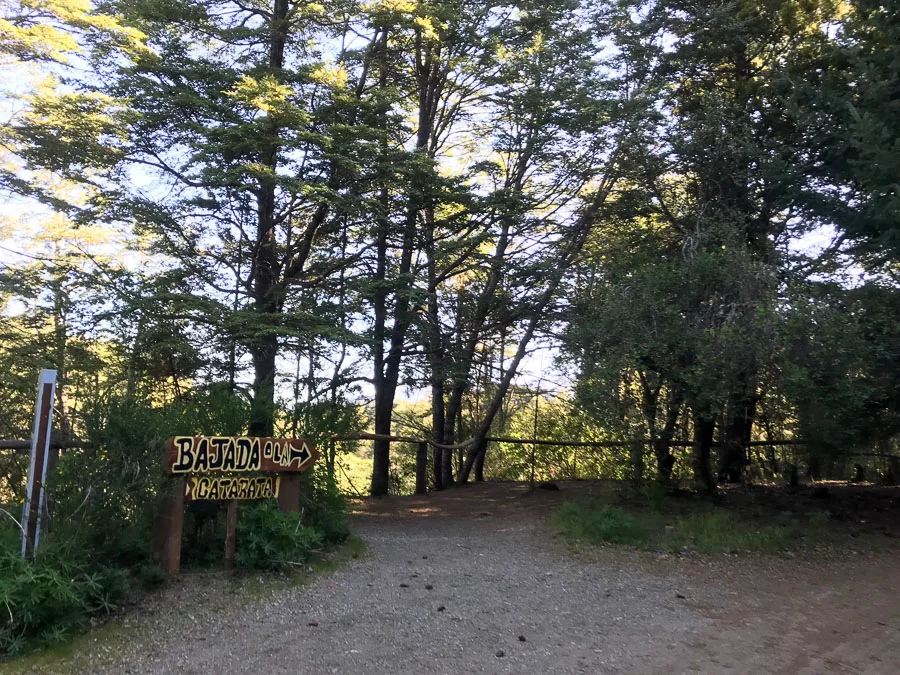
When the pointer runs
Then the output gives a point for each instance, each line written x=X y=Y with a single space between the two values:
x=246 y=131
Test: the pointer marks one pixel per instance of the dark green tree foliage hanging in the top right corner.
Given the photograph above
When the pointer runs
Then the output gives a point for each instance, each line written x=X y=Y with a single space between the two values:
x=843 y=97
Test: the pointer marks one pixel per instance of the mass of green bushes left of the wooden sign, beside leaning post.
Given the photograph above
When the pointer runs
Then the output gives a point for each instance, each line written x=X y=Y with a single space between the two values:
x=104 y=501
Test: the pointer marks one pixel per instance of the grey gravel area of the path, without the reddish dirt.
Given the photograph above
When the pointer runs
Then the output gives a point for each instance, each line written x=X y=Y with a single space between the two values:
x=452 y=596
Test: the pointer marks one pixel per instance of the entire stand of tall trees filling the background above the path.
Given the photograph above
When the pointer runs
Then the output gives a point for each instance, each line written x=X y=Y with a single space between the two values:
x=311 y=214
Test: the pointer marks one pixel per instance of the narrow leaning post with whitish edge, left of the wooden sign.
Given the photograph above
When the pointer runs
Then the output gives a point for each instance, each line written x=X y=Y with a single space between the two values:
x=35 y=494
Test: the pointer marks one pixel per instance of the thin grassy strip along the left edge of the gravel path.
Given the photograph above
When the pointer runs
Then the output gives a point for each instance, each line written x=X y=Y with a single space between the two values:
x=101 y=646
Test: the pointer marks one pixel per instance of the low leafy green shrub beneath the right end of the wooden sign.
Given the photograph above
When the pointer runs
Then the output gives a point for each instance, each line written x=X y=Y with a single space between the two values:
x=269 y=539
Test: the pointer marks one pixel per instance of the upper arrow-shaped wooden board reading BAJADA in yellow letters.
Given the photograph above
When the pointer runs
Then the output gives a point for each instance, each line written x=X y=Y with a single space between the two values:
x=205 y=454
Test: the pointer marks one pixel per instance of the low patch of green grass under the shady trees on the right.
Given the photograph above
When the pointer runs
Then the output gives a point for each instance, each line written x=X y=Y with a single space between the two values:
x=707 y=530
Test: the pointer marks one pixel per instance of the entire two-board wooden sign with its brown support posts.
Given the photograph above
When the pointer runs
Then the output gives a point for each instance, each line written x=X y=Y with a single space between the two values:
x=210 y=468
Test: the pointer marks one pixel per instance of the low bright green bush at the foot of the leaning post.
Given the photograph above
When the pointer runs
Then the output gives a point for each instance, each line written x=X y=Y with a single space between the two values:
x=48 y=598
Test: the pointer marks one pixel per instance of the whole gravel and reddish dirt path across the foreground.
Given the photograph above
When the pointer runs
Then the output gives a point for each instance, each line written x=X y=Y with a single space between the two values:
x=446 y=588
